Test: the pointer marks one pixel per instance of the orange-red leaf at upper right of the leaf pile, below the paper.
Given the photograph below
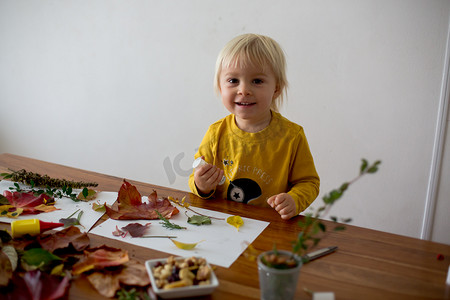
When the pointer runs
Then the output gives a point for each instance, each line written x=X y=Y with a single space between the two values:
x=99 y=258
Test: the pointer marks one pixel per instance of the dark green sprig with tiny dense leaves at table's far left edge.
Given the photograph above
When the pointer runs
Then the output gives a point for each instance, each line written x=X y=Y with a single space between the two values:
x=39 y=184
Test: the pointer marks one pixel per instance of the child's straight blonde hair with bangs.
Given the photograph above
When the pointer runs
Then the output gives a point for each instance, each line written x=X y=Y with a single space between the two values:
x=257 y=50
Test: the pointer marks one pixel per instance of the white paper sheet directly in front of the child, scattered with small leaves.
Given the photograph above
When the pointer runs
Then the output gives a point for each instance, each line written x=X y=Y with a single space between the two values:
x=220 y=243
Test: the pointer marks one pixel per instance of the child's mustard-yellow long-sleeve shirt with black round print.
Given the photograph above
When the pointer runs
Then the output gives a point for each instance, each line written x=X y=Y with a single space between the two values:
x=260 y=165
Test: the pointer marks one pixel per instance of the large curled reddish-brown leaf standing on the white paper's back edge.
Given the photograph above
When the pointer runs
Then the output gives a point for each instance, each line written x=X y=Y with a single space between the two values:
x=129 y=205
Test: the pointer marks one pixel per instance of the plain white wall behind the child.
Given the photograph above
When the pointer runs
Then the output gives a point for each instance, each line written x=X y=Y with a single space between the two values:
x=125 y=88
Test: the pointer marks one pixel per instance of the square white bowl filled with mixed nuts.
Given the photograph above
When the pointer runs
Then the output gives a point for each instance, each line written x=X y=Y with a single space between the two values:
x=181 y=277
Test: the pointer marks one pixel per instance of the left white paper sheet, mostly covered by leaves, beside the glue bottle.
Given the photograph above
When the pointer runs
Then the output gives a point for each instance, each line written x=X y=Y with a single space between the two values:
x=66 y=207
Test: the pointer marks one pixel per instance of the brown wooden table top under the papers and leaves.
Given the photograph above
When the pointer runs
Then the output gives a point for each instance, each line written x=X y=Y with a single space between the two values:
x=369 y=264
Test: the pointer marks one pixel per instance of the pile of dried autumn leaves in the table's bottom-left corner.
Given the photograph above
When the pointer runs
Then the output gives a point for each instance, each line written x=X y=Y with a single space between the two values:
x=42 y=267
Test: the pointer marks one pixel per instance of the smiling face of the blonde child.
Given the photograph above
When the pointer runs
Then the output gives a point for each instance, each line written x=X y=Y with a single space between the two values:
x=248 y=92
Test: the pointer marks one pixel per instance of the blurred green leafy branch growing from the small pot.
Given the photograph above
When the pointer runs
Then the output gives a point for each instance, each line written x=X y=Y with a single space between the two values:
x=311 y=225
